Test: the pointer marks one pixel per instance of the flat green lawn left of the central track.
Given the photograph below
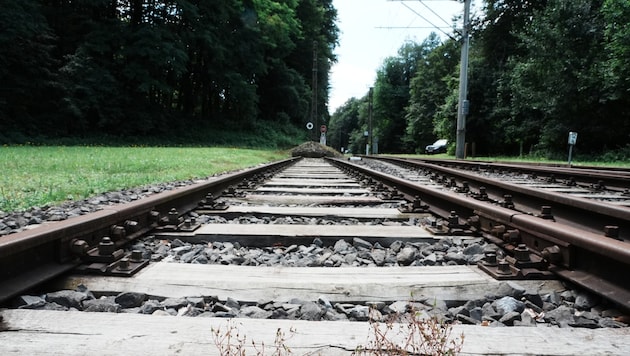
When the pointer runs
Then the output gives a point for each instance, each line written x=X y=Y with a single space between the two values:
x=37 y=176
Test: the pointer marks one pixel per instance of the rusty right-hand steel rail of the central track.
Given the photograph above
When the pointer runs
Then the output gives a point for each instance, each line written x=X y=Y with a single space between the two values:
x=591 y=260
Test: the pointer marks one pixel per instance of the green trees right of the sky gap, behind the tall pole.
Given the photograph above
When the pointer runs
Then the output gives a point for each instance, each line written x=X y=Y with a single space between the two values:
x=538 y=70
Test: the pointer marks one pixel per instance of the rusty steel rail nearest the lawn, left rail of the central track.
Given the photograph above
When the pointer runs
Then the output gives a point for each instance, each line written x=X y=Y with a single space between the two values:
x=31 y=257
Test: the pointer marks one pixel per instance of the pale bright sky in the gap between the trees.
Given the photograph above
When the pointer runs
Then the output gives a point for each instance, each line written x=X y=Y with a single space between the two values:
x=367 y=36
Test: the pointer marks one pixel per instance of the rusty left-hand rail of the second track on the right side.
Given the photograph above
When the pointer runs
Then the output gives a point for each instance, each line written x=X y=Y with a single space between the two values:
x=588 y=214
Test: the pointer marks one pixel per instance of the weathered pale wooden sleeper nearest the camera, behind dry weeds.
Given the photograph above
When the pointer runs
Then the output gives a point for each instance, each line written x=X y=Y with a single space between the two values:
x=37 y=333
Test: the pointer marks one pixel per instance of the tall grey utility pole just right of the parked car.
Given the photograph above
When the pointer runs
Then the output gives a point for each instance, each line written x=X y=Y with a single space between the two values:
x=462 y=105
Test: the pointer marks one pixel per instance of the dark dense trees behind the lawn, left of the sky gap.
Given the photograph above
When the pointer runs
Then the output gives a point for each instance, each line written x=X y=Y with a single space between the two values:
x=137 y=67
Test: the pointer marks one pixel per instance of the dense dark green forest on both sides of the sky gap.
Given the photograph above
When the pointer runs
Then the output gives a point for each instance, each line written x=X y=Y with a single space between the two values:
x=537 y=70
